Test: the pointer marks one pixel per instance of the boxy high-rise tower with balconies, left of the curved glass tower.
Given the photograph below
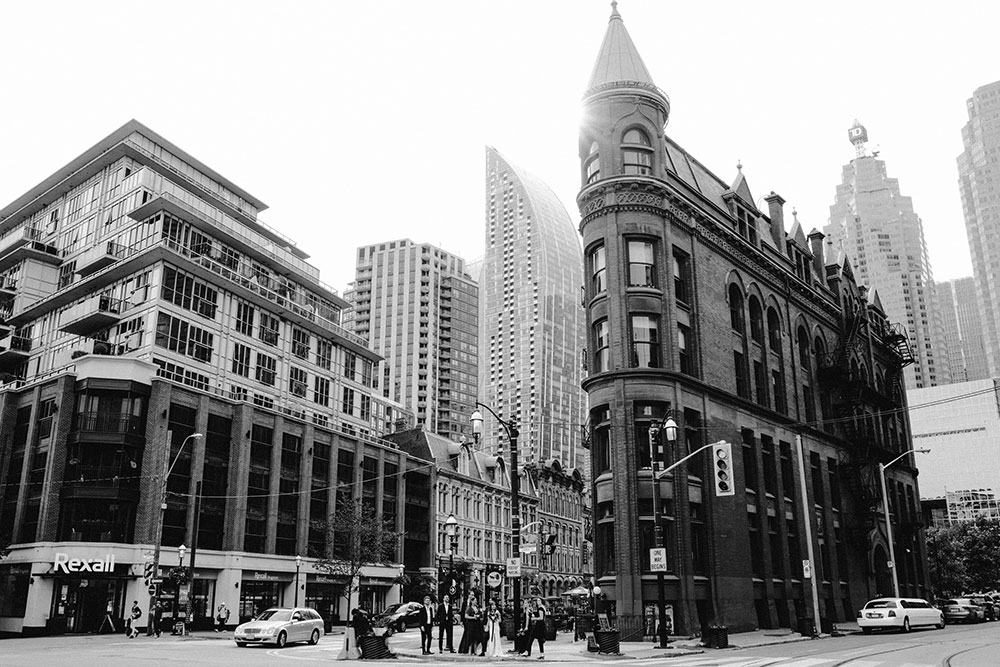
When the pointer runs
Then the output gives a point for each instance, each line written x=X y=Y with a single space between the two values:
x=418 y=307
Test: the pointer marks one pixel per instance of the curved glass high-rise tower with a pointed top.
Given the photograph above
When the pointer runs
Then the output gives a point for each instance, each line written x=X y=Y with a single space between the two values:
x=531 y=329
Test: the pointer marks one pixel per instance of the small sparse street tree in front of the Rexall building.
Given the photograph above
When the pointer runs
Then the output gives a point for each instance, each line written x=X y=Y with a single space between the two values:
x=359 y=538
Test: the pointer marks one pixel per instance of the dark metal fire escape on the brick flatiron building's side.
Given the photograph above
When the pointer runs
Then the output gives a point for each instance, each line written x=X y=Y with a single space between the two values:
x=864 y=408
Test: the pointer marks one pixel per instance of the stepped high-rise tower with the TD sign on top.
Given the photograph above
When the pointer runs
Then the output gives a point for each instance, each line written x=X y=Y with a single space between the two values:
x=875 y=225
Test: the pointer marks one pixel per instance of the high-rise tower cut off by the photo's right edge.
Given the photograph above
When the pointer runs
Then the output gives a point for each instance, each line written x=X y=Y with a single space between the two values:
x=978 y=180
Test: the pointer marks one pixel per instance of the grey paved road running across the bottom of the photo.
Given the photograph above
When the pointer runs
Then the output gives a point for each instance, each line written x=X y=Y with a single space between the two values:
x=955 y=646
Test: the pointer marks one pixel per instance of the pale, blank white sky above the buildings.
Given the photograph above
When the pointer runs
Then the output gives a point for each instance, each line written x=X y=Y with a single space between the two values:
x=365 y=122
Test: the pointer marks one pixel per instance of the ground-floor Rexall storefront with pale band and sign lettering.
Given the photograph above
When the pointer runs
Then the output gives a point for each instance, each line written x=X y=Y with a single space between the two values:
x=81 y=587
